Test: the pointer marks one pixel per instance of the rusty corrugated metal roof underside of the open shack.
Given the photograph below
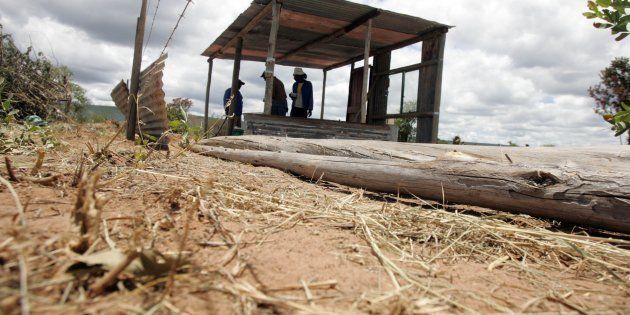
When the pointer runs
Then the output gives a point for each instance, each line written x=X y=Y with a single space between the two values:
x=303 y=21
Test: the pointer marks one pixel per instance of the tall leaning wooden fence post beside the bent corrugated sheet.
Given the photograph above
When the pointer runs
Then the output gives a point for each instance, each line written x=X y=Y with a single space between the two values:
x=132 y=122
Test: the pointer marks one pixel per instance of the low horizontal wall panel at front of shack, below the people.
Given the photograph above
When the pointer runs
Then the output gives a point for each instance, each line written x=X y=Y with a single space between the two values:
x=316 y=129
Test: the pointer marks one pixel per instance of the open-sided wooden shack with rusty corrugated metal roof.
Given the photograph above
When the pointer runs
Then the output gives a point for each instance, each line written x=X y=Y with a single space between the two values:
x=326 y=35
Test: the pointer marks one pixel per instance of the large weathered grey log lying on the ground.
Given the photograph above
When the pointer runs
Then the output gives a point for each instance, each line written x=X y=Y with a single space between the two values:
x=581 y=186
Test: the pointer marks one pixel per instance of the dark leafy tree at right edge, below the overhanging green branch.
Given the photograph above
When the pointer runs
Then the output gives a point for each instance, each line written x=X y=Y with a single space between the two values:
x=613 y=92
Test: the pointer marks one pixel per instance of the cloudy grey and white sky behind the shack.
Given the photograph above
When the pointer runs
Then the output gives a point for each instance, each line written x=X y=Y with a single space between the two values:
x=515 y=70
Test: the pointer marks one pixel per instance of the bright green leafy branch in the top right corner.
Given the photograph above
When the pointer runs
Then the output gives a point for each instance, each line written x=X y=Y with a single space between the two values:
x=614 y=15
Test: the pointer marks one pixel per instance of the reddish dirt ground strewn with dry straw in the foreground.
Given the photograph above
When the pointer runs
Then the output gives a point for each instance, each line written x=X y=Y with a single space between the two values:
x=259 y=241
